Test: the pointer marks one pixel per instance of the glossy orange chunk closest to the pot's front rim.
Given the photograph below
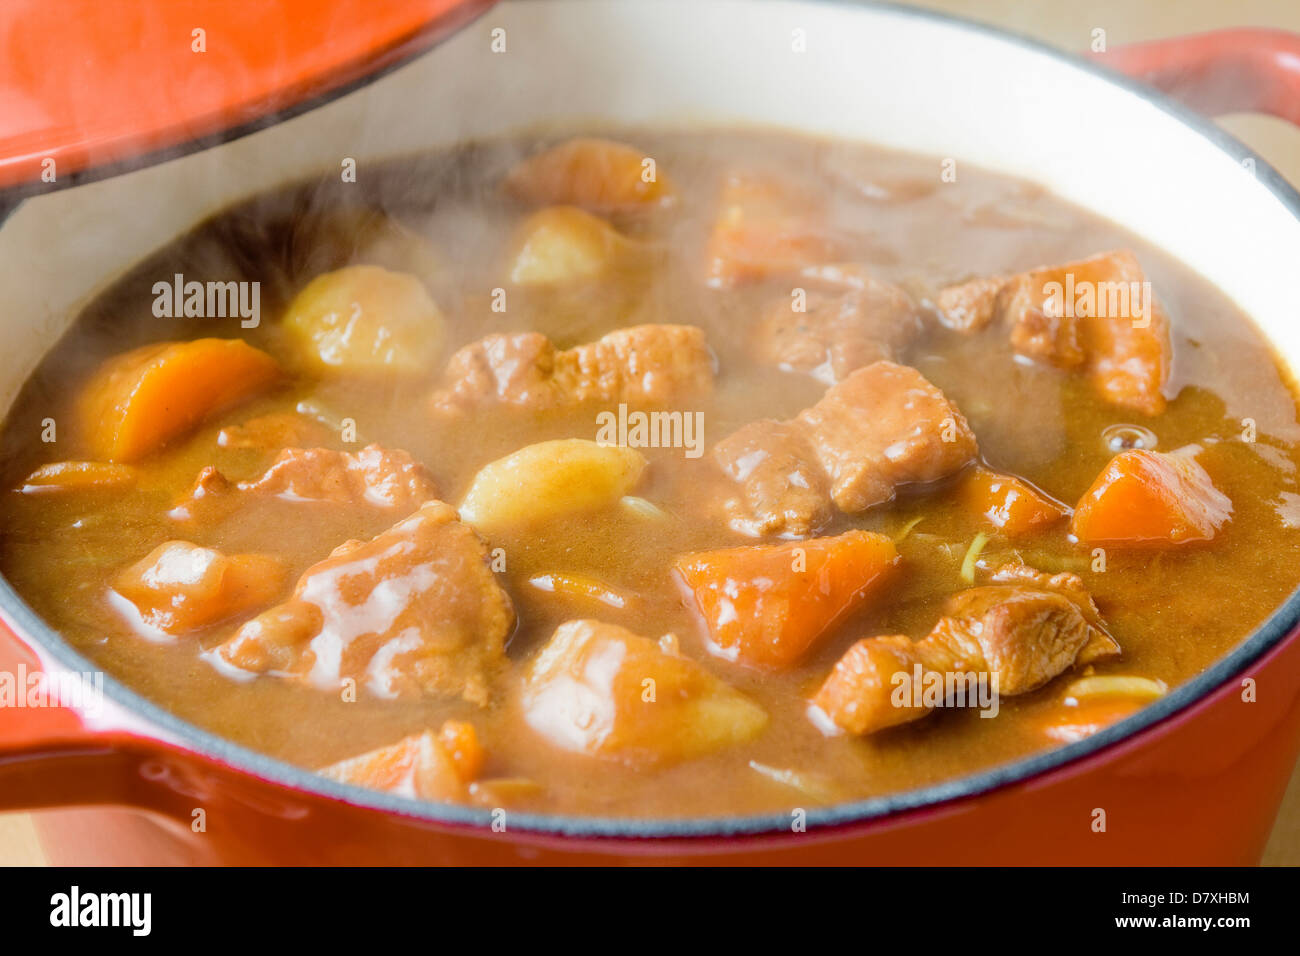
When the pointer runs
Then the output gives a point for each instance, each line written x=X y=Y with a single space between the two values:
x=427 y=767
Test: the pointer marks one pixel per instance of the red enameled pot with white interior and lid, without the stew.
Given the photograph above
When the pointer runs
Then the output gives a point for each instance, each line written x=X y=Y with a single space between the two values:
x=291 y=88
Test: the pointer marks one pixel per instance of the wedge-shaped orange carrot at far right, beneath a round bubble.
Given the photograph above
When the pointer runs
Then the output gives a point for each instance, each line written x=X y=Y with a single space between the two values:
x=1151 y=500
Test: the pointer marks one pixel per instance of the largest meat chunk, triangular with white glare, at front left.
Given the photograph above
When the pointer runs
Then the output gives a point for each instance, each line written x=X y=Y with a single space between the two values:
x=414 y=611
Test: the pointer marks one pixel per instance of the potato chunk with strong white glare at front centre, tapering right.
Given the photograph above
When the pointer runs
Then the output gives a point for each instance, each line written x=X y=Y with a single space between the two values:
x=600 y=690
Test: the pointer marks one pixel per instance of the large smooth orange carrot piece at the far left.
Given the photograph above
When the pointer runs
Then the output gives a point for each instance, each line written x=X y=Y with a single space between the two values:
x=144 y=399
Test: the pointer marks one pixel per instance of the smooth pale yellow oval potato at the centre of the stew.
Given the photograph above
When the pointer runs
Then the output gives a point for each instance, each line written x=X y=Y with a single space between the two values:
x=548 y=481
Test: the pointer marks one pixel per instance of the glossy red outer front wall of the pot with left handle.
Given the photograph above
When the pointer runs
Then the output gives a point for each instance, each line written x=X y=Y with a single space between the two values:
x=1164 y=802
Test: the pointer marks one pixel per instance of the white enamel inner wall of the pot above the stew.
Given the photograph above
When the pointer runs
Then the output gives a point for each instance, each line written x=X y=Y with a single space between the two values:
x=873 y=75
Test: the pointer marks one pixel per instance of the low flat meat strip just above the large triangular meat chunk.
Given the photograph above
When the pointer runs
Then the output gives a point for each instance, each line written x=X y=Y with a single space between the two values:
x=376 y=477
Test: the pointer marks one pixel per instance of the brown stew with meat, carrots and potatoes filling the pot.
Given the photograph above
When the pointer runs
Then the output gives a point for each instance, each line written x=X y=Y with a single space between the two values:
x=674 y=474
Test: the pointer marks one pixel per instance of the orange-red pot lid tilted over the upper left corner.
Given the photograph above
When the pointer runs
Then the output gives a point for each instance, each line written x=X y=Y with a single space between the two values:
x=93 y=86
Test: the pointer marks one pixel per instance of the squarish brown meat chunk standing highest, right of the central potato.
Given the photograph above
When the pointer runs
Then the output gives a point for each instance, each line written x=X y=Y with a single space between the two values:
x=883 y=427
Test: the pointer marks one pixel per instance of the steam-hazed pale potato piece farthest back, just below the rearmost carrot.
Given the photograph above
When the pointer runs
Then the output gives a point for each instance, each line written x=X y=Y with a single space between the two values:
x=564 y=244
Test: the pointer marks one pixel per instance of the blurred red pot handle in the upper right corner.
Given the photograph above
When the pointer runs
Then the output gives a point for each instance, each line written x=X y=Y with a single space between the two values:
x=1247 y=71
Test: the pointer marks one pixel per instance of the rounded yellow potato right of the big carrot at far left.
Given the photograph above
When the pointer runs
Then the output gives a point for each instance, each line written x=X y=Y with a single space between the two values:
x=365 y=319
